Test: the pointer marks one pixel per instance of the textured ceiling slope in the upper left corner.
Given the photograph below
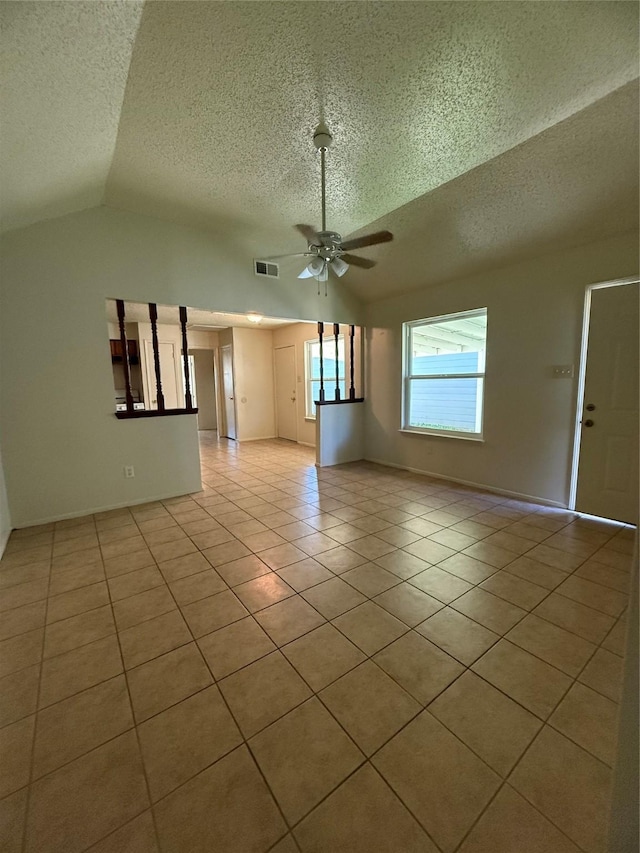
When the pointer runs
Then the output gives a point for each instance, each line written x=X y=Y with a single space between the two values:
x=64 y=69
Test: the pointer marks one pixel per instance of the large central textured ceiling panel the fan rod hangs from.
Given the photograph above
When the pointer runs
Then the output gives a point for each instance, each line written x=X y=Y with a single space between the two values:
x=222 y=100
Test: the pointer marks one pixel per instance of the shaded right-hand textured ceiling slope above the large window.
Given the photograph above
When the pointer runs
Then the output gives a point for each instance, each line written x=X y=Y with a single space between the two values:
x=573 y=183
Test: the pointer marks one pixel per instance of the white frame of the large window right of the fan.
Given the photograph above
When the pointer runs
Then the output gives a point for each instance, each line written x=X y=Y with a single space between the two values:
x=408 y=377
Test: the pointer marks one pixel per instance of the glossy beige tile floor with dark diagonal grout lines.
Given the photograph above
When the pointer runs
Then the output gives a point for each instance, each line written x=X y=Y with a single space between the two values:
x=351 y=659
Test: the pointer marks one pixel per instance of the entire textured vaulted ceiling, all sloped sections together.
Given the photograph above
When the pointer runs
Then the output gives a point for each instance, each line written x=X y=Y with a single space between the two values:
x=478 y=132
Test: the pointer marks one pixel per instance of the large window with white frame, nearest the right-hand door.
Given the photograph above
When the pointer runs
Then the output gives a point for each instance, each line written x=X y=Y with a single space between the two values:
x=444 y=369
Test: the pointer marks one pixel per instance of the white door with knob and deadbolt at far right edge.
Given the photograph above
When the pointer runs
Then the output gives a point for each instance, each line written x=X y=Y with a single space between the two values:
x=608 y=463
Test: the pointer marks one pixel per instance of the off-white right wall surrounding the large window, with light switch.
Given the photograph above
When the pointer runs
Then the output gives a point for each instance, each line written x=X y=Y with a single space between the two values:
x=534 y=322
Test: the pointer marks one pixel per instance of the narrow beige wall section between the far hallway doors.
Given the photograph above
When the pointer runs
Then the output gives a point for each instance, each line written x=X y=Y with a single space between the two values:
x=254 y=388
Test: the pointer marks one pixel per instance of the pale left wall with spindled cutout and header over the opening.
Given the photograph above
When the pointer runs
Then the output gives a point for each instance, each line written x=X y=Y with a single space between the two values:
x=63 y=448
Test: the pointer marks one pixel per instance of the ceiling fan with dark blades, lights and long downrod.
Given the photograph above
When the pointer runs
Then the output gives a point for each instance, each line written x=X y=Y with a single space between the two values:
x=326 y=249
